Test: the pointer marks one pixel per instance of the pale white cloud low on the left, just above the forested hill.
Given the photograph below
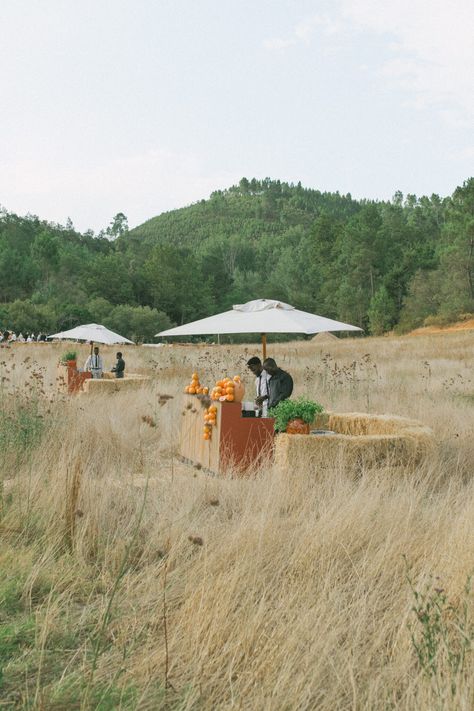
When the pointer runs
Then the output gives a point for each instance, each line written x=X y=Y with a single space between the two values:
x=141 y=186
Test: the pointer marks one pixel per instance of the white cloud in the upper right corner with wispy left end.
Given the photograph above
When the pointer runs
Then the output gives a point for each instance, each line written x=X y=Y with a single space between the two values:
x=426 y=50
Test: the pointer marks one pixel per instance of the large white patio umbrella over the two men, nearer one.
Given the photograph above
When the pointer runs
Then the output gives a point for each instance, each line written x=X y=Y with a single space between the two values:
x=260 y=316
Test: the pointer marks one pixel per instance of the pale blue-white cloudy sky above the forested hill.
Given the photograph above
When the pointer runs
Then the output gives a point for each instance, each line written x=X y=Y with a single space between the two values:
x=144 y=106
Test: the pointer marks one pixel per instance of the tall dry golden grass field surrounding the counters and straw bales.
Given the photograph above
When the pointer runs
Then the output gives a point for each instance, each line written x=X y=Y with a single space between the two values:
x=129 y=580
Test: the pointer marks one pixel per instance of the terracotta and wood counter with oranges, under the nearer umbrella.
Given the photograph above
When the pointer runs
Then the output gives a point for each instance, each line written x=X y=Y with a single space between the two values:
x=237 y=444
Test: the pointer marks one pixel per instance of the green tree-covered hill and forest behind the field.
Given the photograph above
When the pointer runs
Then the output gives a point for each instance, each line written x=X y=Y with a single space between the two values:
x=375 y=264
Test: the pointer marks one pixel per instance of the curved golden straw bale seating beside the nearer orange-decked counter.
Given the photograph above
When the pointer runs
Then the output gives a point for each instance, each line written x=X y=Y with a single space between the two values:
x=360 y=441
